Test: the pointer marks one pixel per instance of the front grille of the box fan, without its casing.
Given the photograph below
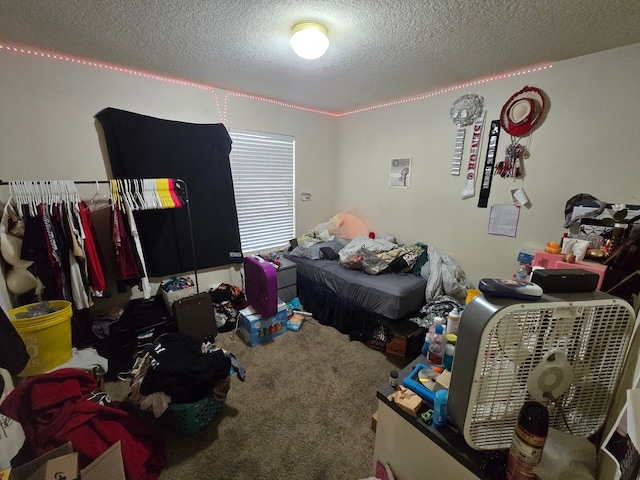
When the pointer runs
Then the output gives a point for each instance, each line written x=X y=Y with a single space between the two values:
x=594 y=336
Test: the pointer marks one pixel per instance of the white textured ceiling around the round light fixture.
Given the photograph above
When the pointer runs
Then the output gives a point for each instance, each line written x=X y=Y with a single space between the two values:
x=380 y=50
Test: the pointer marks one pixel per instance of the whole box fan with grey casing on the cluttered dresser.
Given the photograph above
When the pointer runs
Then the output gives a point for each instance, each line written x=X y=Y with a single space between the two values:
x=565 y=351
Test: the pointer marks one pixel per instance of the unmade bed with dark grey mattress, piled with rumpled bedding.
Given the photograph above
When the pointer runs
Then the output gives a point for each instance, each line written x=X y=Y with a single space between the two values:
x=351 y=279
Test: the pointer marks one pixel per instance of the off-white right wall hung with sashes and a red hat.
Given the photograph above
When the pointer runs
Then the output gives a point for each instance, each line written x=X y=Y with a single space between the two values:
x=587 y=144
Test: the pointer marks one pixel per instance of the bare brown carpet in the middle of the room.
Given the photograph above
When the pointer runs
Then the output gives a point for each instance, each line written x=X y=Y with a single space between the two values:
x=303 y=412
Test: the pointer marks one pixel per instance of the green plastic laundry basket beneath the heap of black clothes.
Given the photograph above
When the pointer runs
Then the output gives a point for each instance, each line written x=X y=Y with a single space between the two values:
x=189 y=418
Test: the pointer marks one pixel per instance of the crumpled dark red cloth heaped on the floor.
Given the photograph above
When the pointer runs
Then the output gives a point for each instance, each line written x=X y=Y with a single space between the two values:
x=53 y=409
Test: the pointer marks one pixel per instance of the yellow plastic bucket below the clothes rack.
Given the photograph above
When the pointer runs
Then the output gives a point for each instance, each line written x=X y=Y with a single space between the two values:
x=47 y=337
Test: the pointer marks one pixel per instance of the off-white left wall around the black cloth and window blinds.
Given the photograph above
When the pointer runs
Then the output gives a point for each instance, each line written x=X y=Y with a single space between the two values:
x=48 y=132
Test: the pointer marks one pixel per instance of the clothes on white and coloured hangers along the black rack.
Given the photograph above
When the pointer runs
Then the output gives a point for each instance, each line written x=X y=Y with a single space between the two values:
x=58 y=243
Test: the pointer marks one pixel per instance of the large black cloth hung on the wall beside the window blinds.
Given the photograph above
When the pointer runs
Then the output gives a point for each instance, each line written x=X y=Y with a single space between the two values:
x=146 y=147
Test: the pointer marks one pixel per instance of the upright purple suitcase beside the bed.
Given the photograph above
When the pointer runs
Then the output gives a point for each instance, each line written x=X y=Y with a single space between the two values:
x=261 y=286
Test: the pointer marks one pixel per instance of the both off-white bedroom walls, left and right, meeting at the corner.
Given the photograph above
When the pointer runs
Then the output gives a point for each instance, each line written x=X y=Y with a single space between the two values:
x=586 y=144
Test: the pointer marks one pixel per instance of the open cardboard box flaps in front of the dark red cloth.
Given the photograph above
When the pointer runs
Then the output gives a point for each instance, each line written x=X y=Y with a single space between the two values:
x=62 y=462
